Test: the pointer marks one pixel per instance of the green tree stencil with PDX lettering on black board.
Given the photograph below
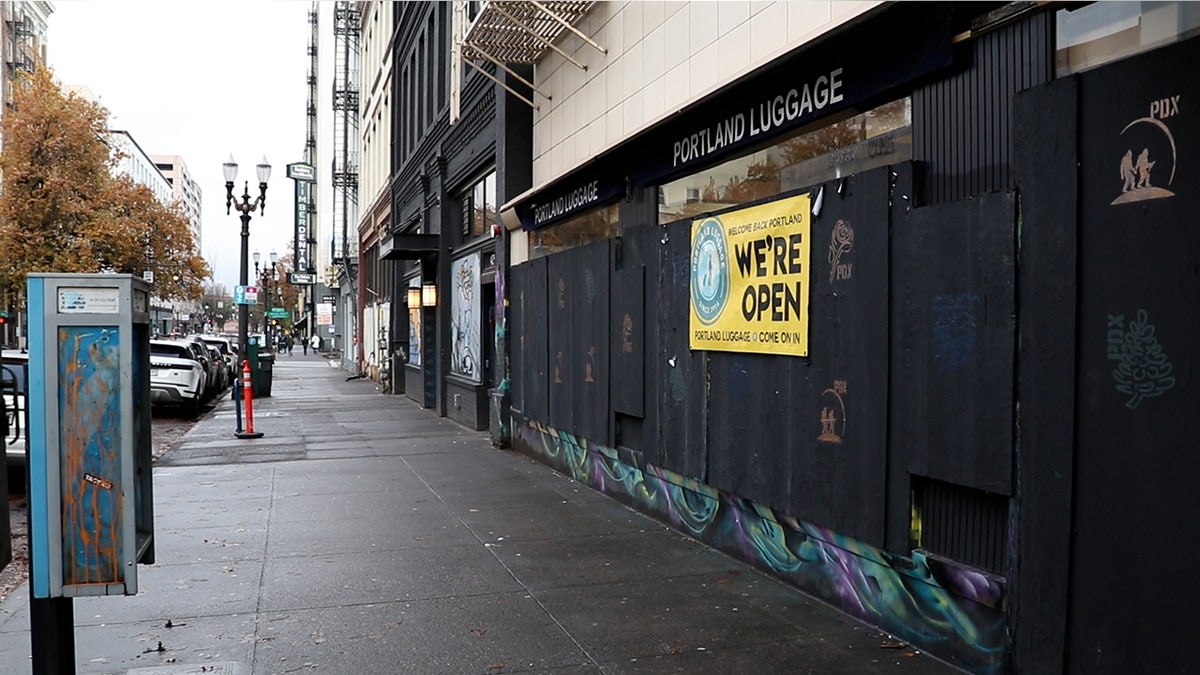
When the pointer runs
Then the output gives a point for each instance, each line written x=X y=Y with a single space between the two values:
x=1143 y=371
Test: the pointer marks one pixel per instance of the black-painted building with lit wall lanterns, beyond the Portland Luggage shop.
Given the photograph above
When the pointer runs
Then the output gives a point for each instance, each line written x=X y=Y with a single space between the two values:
x=445 y=247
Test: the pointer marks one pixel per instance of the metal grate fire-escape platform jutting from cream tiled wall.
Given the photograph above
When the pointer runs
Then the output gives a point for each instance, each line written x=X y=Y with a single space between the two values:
x=521 y=32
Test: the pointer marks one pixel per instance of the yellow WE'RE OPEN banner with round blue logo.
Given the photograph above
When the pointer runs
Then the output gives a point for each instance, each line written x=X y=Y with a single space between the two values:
x=751 y=280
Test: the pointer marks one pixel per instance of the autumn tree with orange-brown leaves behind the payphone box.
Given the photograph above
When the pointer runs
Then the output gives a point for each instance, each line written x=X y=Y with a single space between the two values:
x=64 y=211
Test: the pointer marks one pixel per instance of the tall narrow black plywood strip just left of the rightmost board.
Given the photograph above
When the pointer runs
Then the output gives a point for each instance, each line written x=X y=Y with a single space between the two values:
x=1046 y=159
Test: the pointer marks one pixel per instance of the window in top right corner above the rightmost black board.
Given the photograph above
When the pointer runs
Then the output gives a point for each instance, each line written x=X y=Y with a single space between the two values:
x=1100 y=33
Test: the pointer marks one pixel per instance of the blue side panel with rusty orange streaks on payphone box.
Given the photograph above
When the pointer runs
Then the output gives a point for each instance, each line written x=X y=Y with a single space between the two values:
x=89 y=403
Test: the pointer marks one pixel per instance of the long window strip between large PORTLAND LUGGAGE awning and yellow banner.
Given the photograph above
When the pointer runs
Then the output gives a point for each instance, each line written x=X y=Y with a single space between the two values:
x=878 y=138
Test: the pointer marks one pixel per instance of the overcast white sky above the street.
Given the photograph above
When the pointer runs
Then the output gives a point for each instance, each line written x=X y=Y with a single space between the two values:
x=201 y=81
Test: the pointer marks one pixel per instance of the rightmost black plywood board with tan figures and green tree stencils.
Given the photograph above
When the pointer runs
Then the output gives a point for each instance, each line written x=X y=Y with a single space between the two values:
x=1137 y=464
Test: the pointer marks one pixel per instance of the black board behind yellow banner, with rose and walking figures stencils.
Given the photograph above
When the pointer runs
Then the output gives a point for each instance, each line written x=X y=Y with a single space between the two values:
x=808 y=435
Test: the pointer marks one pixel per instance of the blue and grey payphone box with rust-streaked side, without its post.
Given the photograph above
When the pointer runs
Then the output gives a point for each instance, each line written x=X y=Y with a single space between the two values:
x=91 y=499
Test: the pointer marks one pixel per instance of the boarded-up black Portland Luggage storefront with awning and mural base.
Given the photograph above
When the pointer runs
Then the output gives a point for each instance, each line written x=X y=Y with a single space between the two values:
x=983 y=445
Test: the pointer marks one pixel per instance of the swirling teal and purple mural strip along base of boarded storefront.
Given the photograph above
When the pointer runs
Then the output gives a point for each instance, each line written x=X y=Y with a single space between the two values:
x=953 y=613
